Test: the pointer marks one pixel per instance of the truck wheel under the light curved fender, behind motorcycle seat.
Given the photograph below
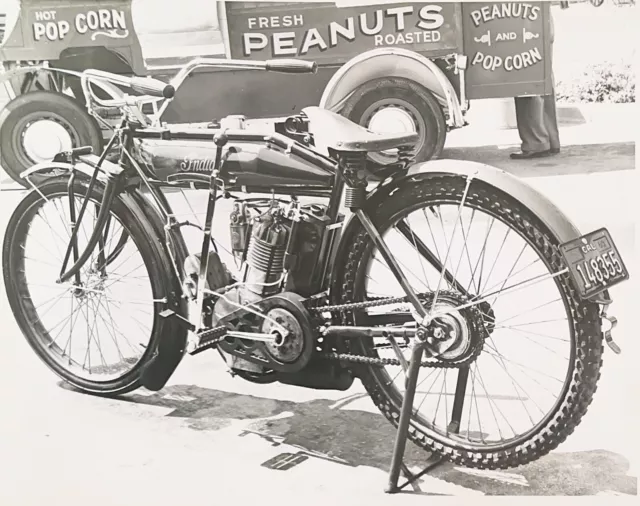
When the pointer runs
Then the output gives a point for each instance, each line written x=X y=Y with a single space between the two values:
x=393 y=104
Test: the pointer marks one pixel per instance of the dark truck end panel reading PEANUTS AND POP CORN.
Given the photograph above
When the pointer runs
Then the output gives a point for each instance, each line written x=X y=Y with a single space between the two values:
x=506 y=42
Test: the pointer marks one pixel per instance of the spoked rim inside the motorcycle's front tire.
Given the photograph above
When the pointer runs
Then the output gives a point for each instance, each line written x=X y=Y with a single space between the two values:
x=83 y=331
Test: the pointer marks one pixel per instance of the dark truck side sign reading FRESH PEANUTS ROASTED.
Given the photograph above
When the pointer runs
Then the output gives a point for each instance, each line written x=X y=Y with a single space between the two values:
x=327 y=32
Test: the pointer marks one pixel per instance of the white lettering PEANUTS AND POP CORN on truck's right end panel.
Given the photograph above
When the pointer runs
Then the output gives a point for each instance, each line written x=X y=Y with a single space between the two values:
x=484 y=20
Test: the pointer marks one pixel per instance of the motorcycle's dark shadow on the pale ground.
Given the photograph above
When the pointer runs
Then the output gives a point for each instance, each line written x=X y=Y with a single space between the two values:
x=323 y=429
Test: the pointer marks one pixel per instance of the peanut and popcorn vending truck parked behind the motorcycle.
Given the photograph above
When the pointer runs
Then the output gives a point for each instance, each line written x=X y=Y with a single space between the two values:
x=383 y=64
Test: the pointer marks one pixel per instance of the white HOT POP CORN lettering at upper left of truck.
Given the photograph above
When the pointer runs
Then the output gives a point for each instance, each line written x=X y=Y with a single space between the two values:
x=52 y=25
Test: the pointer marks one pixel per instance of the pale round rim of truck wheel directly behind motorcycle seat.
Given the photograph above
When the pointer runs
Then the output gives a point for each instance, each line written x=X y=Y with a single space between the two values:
x=393 y=115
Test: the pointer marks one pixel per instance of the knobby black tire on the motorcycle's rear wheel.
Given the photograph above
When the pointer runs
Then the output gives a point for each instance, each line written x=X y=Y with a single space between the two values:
x=587 y=335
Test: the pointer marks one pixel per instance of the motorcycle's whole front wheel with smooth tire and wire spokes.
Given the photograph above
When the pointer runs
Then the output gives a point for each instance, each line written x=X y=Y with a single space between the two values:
x=99 y=334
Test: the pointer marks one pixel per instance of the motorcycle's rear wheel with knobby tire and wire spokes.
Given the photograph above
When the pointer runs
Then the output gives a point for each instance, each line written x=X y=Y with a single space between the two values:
x=518 y=370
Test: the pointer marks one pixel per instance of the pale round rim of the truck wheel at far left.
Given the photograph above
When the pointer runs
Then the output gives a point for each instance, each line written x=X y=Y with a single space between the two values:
x=40 y=136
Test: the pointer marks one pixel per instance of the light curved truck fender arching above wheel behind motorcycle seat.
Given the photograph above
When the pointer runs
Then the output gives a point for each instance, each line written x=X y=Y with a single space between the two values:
x=392 y=62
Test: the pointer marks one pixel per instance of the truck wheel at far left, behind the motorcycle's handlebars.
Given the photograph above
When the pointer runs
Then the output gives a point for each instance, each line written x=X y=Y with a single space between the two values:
x=36 y=126
